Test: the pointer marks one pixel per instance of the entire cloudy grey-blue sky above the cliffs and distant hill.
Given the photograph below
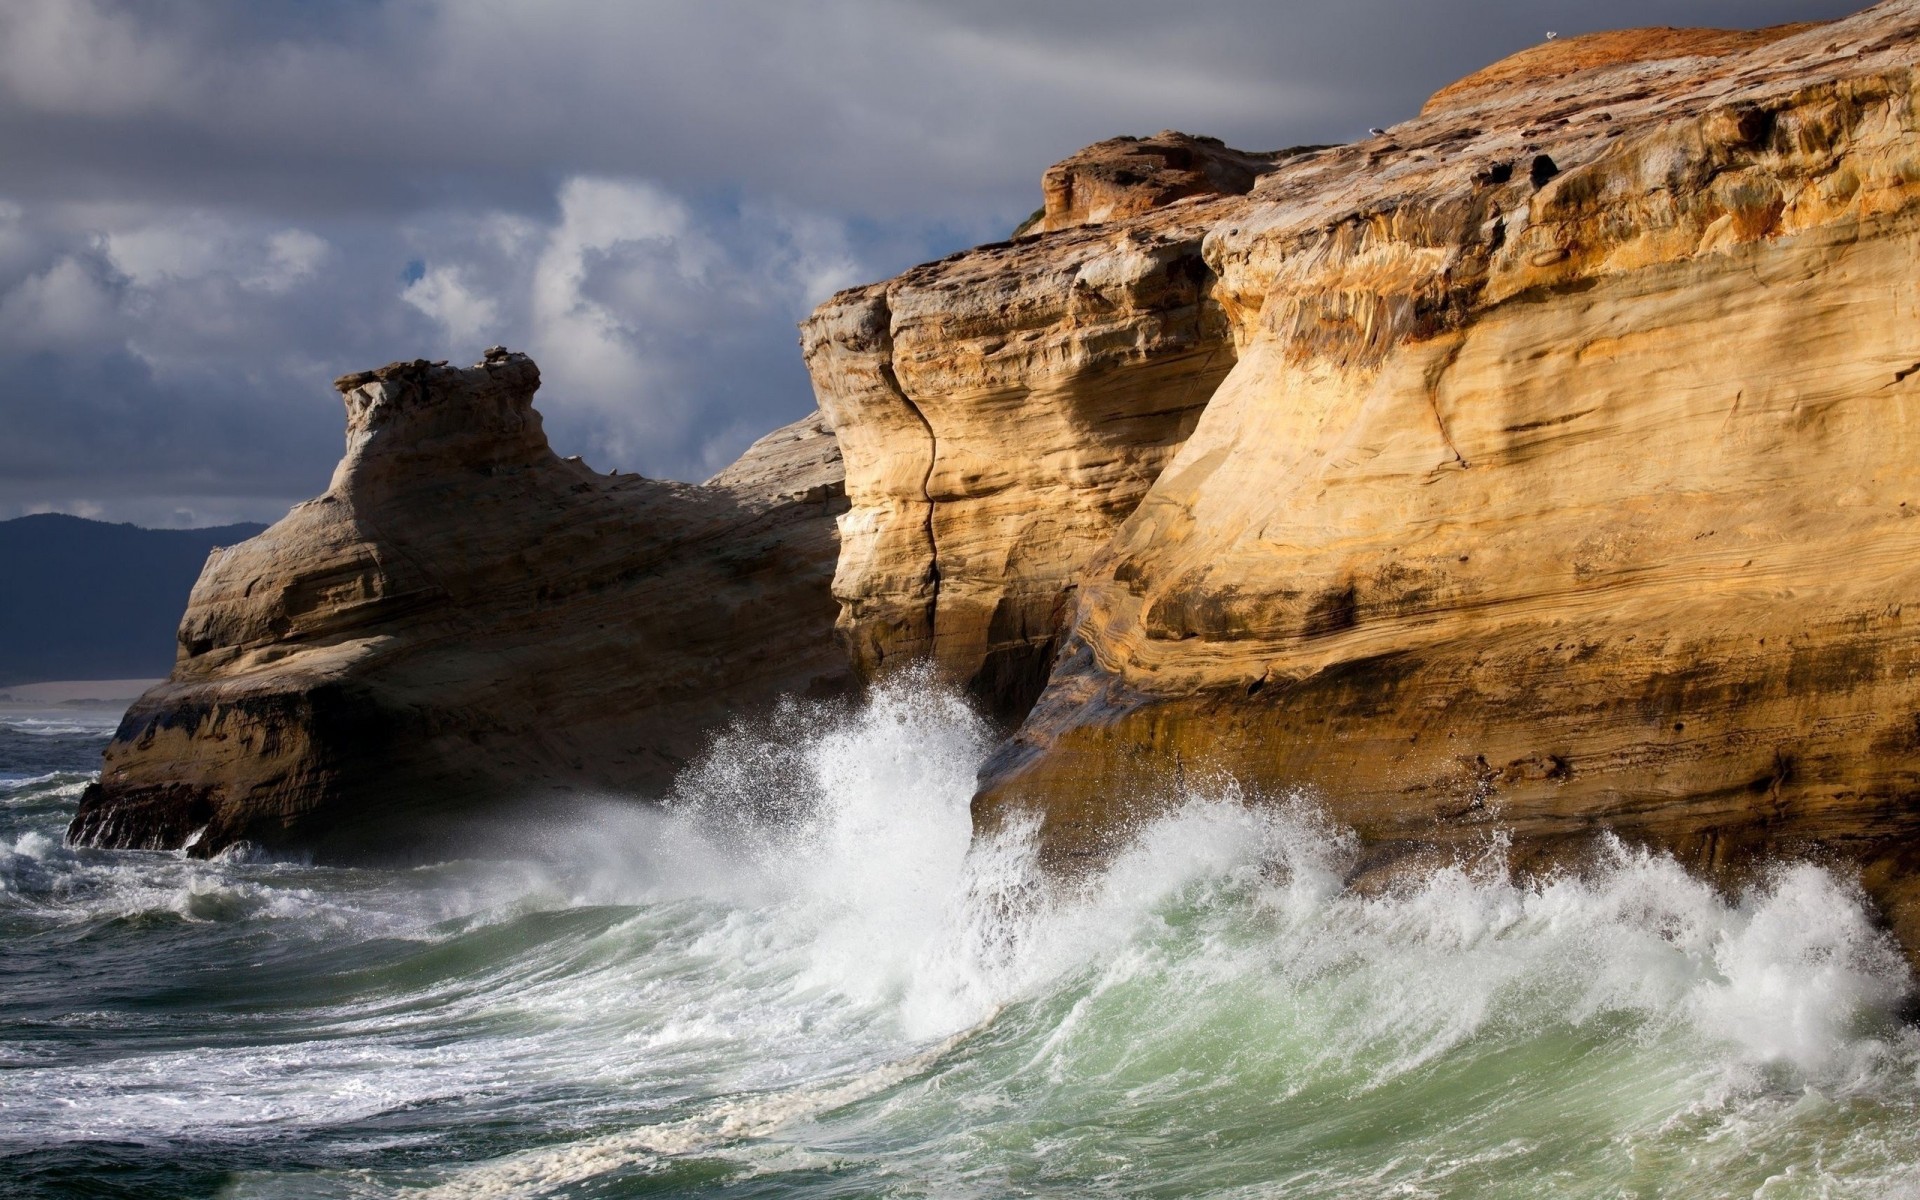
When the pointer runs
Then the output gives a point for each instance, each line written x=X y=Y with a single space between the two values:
x=214 y=208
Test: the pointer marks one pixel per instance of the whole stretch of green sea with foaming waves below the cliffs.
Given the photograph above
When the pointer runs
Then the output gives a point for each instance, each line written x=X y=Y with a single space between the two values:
x=802 y=982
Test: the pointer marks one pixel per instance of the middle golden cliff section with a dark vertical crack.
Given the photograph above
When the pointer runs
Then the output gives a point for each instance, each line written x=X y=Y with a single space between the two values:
x=1001 y=412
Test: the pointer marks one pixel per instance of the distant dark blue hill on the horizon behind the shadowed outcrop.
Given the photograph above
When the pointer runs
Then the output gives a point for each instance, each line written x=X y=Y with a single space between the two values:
x=85 y=600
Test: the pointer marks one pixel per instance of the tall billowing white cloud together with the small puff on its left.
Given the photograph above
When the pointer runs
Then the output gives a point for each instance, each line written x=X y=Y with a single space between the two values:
x=663 y=327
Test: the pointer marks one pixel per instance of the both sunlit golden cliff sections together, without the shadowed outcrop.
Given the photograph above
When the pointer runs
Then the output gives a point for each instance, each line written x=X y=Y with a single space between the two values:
x=1564 y=477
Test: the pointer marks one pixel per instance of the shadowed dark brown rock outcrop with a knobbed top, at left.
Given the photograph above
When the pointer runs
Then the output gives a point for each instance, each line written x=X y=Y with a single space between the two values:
x=468 y=619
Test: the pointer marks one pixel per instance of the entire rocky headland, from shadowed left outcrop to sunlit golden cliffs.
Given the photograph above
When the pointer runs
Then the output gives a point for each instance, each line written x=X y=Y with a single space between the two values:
x=1541 y=469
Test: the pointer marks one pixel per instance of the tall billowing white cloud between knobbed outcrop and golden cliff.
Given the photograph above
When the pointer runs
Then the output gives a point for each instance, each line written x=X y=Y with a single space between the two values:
x=665 y=331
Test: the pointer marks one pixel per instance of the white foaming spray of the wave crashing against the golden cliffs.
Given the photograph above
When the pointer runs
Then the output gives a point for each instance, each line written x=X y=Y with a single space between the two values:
x=865 y=888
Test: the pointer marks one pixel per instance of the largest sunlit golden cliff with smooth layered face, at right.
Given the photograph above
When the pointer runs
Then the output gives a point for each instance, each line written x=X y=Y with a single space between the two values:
x=1566 y=483
